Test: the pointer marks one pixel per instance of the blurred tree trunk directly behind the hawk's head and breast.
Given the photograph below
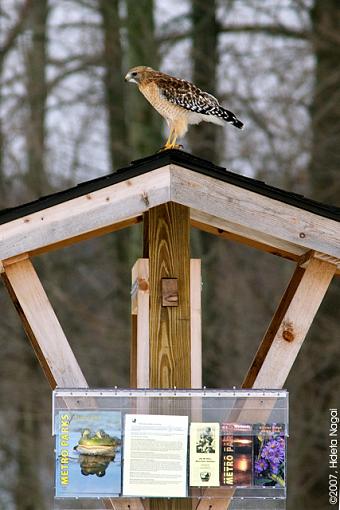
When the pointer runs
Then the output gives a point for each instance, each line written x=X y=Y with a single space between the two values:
x=145 y=124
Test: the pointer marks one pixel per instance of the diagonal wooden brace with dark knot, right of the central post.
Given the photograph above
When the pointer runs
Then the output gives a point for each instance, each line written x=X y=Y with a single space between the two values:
x=289 y=327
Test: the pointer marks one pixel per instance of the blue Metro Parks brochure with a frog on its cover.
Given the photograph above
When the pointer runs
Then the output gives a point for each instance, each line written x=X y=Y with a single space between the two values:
x=88 y=454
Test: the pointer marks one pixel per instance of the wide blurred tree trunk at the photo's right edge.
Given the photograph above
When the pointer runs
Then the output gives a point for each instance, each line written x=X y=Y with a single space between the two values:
x=325 y=112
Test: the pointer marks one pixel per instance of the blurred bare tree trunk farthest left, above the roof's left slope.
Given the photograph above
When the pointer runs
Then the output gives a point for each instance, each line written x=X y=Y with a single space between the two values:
x=35 y=130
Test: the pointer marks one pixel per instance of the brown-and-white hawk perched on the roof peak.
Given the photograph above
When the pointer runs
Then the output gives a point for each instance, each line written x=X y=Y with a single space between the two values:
x=180 y=102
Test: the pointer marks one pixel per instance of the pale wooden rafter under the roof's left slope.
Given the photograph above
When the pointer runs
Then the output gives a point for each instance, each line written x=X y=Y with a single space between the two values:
x=73 y=219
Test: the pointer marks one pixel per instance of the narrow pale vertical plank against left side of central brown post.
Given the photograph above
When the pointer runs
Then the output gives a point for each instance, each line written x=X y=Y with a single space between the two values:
x=140 y=313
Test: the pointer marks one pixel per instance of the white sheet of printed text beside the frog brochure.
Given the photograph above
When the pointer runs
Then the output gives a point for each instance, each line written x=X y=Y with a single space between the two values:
x=155 y=455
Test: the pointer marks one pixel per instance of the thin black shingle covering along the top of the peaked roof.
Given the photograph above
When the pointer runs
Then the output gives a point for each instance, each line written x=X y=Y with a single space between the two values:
x=183 y=159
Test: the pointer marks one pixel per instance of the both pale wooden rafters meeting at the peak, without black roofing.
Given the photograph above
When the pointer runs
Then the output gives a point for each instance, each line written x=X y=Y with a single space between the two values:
x=221 y=208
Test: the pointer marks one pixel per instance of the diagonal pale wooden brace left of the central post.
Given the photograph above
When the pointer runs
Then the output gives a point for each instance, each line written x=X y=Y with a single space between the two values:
x=41 y=325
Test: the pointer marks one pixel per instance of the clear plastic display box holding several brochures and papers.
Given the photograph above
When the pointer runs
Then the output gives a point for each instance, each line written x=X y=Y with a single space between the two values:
x=116 y=443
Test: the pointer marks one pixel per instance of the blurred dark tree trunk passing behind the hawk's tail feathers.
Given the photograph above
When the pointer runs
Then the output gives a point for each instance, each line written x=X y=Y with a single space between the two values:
x=203 y=138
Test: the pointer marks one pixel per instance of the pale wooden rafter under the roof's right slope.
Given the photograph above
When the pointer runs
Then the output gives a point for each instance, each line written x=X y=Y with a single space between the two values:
x=254 y=216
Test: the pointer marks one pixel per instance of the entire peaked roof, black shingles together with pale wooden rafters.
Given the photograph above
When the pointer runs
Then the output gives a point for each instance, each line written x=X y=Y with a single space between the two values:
x=221 y=202
